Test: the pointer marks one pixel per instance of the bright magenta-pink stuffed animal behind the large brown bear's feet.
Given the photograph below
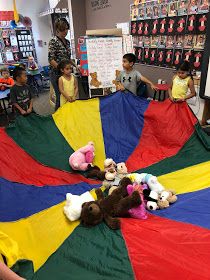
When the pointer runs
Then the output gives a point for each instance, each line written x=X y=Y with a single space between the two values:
x=140 y=211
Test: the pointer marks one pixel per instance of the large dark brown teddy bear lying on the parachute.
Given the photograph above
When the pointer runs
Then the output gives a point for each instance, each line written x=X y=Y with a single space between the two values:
x=111 y=207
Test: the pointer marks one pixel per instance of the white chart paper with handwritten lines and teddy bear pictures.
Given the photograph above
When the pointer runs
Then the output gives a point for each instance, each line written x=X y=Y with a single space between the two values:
x=104 y=63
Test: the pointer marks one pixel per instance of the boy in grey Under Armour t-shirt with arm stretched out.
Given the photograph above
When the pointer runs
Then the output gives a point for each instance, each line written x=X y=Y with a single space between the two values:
x=129 y=79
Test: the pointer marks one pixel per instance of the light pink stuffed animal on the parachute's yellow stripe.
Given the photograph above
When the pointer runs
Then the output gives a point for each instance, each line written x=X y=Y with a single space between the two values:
x=82 y=159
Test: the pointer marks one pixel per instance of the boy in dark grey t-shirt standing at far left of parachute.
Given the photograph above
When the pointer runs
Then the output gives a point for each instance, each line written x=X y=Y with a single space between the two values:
x=20 y=93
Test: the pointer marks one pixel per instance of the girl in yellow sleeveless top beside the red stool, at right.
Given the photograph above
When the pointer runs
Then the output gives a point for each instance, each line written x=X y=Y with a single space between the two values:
x=181 y=83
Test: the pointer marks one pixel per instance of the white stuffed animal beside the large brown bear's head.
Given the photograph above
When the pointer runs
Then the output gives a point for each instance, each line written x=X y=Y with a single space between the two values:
x=73 y=206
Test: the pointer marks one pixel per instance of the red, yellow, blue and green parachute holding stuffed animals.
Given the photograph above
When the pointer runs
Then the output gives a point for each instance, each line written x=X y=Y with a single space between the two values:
x=165 y=139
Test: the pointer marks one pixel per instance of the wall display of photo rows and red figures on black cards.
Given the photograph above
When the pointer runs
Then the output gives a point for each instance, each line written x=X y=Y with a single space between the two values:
x=166 y=33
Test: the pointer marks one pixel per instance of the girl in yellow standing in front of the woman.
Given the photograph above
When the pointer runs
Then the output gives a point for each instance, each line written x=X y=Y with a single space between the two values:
x=68 y=86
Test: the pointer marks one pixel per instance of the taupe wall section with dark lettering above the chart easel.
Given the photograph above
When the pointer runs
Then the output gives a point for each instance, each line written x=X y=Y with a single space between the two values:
x=107 y=17
